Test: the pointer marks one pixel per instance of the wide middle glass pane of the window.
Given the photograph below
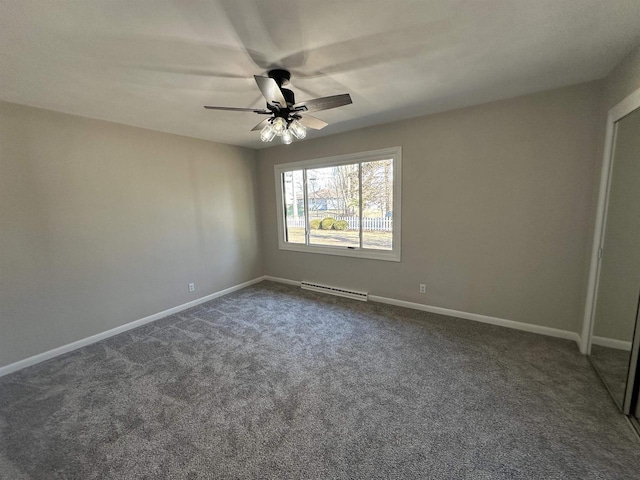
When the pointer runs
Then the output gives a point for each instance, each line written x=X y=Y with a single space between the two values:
x=334 y=211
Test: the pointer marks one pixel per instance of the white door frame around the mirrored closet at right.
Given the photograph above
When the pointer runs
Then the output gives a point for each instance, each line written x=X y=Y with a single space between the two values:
x=622 y=109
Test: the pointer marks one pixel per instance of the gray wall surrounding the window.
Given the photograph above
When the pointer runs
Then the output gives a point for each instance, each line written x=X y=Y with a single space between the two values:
x=496 y=208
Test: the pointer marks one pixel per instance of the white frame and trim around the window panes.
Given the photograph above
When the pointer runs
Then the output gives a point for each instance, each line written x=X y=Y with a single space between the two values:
x=394 y=154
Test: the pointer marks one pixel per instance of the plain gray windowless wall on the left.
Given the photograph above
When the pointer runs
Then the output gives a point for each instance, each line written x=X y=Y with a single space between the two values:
x=103 y=224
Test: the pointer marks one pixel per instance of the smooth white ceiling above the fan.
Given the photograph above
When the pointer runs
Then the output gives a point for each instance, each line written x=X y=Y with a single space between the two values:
x=155 y=63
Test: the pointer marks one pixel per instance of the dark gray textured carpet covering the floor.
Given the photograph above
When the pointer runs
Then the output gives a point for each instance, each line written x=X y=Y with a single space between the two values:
x=275 y=382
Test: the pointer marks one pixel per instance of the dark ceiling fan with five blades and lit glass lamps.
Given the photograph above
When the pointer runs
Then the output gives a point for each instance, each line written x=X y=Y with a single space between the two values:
x=286 y=118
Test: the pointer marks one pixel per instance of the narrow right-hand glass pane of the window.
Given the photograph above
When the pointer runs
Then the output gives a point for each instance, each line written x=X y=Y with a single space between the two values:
x=377 y=204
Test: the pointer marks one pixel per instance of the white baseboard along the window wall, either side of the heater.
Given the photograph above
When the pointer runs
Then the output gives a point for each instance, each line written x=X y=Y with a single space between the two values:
x=526 y=327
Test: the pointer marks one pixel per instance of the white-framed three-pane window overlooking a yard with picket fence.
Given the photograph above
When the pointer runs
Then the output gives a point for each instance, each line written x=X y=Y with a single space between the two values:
x=347 y=205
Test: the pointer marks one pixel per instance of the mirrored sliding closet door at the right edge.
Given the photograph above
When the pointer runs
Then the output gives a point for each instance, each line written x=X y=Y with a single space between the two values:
x=619 y=277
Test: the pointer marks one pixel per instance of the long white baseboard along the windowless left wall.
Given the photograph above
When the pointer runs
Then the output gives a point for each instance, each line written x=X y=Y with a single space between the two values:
x=41 y=357
